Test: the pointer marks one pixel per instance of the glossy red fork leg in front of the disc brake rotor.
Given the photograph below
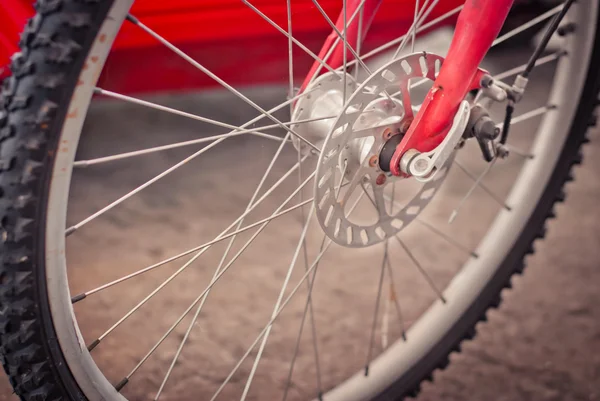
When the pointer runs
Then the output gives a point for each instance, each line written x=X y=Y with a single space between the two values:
x=478 y=25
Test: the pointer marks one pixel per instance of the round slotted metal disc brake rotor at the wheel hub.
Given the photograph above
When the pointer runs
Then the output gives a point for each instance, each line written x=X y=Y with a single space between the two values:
x=355 y=146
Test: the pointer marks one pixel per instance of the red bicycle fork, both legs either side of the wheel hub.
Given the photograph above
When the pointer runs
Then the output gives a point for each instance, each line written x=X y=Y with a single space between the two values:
x=478 y=24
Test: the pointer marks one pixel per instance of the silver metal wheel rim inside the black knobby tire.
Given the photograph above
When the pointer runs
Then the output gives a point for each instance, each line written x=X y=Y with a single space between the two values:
x=432 y=325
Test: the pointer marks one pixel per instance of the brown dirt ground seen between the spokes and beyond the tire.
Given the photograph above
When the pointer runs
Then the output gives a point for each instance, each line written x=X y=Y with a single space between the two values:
x=542 y=344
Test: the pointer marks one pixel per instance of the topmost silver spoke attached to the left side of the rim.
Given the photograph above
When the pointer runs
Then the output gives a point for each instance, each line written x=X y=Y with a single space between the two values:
x=205 y=70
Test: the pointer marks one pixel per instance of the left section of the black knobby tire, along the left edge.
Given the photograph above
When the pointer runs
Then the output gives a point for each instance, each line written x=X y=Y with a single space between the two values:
x=54 y=46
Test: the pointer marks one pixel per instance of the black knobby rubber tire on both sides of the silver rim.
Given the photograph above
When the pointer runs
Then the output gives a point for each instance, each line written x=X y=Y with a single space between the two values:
x=34 y=103
